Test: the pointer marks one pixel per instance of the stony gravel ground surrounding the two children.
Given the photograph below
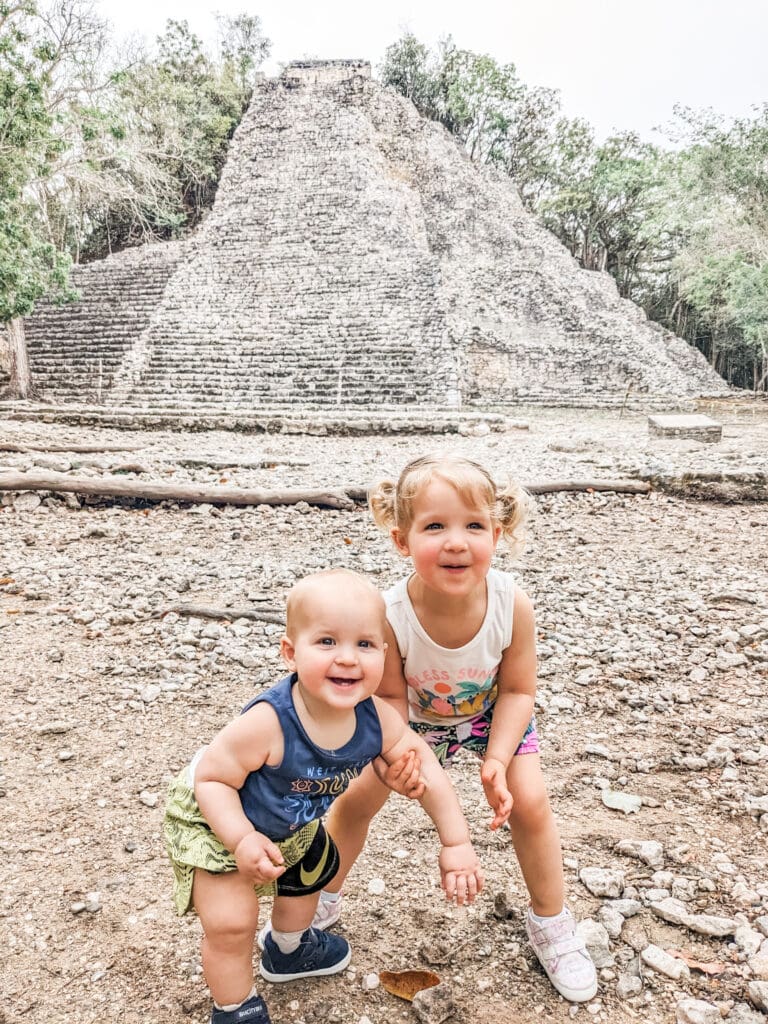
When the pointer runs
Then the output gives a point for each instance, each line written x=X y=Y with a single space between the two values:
x=653 y=618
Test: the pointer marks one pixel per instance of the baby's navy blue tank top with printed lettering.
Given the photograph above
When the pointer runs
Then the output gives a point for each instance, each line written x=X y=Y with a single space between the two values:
x=280 y=799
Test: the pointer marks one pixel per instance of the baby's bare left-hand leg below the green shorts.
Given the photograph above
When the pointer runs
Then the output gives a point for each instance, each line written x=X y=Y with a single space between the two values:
x=229 y=911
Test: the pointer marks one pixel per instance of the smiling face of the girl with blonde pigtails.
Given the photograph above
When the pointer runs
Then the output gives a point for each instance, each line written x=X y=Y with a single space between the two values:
x=452 y=541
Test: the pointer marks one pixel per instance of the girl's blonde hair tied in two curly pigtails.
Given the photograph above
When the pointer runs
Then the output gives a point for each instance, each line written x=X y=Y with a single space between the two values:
x=392 y=502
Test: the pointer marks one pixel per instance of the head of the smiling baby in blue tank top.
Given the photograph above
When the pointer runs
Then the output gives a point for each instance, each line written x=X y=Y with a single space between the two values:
x=336 y=644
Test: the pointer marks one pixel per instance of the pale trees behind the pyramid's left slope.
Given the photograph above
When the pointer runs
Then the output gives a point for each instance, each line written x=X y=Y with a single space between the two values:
x=143 y=138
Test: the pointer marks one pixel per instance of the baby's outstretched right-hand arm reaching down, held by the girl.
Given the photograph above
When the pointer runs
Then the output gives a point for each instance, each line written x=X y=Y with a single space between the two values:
x=460 y=871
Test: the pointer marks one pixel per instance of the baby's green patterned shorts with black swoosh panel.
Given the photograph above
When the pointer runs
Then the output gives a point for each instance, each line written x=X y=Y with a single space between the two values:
x=311 y=855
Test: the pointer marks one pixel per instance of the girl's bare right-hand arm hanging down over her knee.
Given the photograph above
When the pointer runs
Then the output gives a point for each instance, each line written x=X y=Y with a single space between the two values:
x=513 y=710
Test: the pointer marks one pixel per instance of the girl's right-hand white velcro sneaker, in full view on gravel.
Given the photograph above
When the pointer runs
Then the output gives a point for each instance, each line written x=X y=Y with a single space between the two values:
x=564 y=956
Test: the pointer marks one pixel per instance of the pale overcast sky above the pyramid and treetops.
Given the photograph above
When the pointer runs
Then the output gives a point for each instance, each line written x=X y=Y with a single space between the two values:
x=619 y=65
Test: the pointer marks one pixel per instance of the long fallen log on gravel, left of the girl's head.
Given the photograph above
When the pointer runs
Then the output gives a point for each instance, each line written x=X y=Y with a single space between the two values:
x=115 y=487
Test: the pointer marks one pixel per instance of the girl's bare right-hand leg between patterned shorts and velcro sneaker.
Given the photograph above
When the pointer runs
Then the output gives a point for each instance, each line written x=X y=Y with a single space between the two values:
x=535 y=835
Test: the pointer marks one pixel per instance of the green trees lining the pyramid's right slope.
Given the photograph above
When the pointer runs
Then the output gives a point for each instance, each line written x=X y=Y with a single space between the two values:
x=684 y=231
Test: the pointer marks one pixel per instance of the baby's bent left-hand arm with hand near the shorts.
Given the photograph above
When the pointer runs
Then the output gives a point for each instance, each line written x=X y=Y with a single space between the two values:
x=242 y=747
